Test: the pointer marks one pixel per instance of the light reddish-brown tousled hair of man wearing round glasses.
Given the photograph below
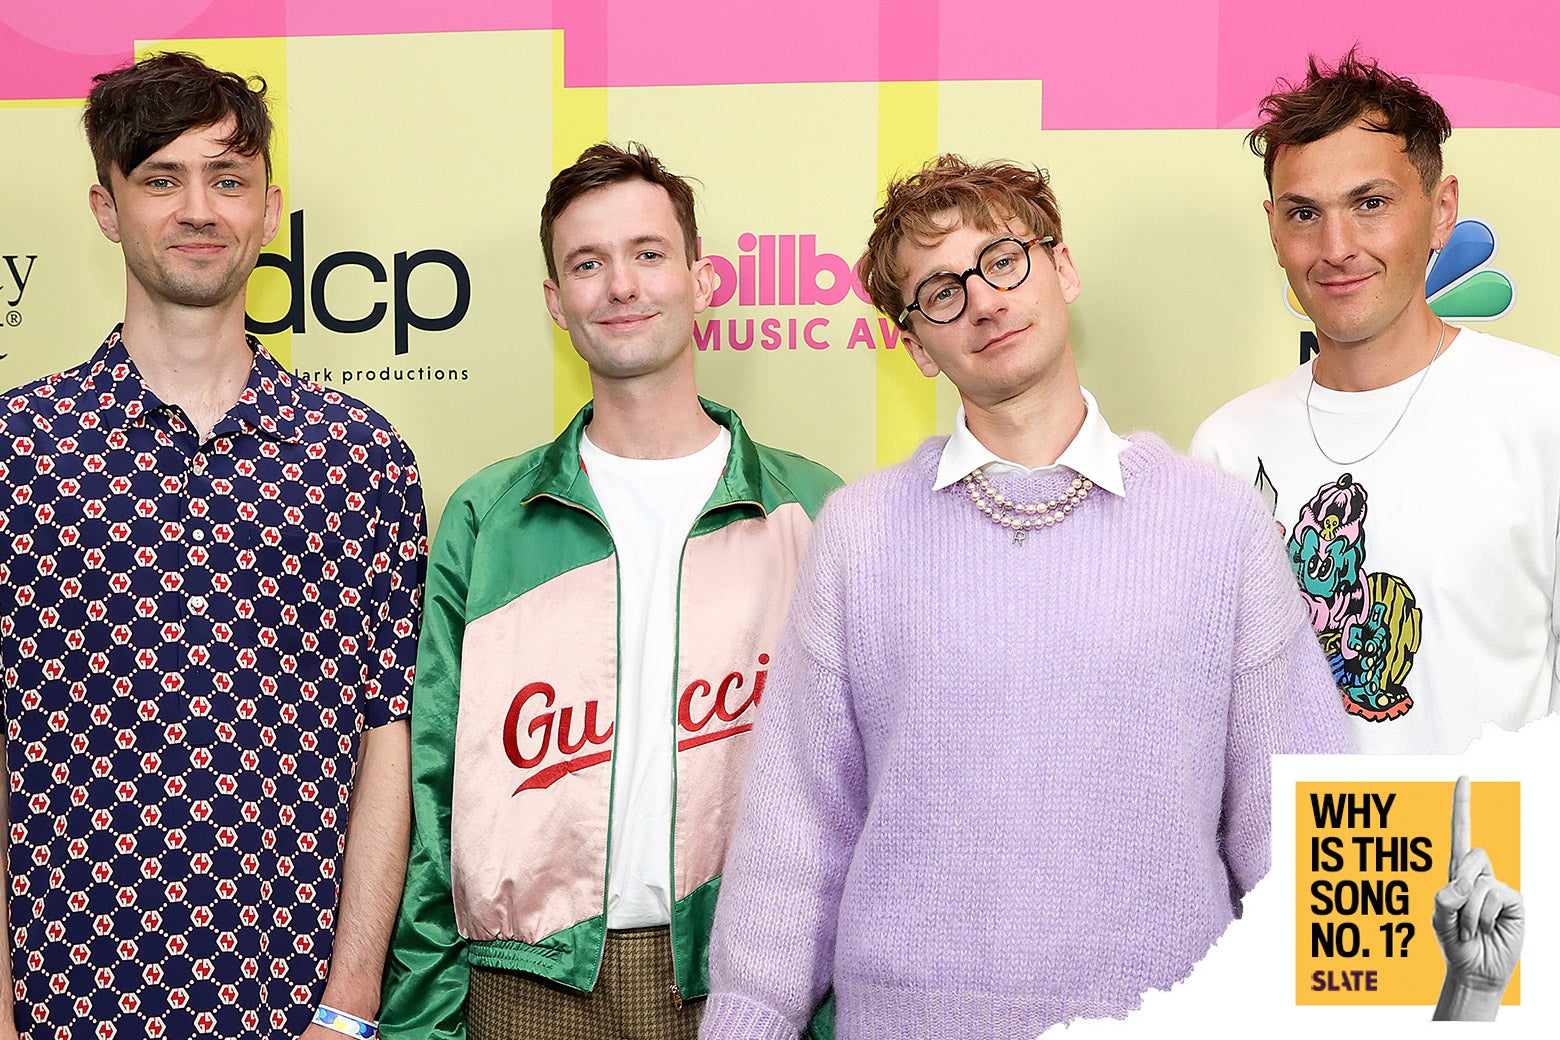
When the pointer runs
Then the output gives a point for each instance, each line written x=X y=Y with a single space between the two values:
x=987 y=196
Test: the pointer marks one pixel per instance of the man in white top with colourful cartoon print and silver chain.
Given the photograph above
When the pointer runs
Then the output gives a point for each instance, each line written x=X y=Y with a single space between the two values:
x=1441 y=444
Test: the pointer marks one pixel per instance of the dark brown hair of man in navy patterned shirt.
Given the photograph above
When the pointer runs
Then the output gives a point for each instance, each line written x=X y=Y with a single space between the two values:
x=138 y=110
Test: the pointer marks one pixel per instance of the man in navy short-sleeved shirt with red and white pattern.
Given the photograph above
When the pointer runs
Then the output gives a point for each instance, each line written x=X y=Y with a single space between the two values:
x=210 y=589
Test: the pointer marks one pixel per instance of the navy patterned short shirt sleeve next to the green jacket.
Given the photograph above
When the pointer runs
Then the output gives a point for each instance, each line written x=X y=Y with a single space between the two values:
x=397 y=589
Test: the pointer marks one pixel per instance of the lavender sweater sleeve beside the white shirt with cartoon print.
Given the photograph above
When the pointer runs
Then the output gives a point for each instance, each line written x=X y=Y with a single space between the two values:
x=1283 y=701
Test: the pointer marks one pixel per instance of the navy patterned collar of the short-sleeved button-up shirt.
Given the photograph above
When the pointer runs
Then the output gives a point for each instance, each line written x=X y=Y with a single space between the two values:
x=269 y=403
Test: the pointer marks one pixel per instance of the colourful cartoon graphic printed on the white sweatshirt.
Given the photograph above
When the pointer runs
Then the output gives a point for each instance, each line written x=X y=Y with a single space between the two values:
x=1369 y=623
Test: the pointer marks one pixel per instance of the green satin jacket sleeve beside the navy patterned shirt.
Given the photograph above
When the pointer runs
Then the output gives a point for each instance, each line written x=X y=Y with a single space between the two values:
x=427 y=975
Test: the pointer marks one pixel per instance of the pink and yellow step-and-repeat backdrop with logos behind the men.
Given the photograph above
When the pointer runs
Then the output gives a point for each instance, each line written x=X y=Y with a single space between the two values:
x=417 y=143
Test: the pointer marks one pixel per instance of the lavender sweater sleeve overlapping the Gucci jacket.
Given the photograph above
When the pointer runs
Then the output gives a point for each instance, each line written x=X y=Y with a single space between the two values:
x=804 y=804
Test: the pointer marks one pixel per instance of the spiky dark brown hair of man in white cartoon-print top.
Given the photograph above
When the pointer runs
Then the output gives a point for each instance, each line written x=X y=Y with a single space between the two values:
x=1335 y=99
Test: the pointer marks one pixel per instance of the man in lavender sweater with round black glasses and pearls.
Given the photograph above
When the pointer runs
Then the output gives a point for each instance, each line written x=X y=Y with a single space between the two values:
x=1013 y=763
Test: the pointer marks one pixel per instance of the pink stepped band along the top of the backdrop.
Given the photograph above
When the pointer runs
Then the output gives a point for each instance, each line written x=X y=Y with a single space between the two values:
x=1108 y=65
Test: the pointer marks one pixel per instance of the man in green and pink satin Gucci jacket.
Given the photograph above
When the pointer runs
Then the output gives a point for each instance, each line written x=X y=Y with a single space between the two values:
x=603 y=612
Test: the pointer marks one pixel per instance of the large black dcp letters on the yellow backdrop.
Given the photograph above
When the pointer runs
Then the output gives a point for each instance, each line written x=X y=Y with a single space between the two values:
x=403 y=316
